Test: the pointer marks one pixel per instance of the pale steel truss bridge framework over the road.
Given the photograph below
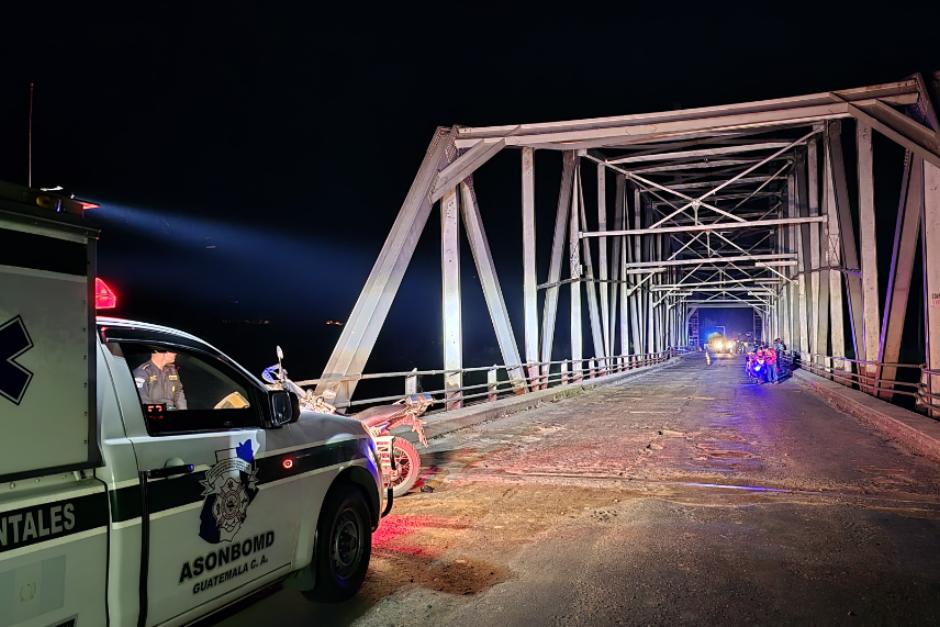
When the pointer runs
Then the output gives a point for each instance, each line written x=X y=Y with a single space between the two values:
x=769 y=205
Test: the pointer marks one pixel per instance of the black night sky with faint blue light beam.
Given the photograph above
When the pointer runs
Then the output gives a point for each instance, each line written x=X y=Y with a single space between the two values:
x=250 y=161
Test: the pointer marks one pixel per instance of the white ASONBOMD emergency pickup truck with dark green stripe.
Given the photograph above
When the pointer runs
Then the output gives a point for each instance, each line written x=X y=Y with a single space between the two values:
x=114 y=511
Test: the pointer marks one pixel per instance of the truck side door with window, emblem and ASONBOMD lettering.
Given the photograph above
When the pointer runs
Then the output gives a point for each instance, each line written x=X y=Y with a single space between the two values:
x=207 y=533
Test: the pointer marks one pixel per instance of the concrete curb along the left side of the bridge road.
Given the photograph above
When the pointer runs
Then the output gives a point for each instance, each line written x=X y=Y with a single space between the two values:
x=448 y=422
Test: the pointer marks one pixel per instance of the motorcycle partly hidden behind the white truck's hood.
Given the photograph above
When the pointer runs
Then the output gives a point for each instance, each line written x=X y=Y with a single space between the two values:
x=402 y=463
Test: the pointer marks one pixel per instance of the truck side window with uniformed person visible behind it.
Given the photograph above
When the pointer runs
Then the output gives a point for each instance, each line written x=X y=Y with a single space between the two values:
x=182 y=391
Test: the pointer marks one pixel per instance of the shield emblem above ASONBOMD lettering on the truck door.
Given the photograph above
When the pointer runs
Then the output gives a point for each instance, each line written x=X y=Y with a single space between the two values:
x=229 y=487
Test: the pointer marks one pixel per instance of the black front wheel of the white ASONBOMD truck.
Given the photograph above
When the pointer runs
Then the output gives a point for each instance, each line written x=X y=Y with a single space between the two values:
x=344 y=545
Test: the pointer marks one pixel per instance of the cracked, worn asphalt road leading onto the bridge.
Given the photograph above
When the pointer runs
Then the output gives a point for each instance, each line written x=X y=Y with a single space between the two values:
x=681 y=496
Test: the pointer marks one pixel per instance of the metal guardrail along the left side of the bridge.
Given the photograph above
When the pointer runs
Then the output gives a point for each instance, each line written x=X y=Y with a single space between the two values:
x=501 y=380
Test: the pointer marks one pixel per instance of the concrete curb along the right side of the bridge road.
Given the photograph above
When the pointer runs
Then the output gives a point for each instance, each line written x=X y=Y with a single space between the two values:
x=917 y=433
